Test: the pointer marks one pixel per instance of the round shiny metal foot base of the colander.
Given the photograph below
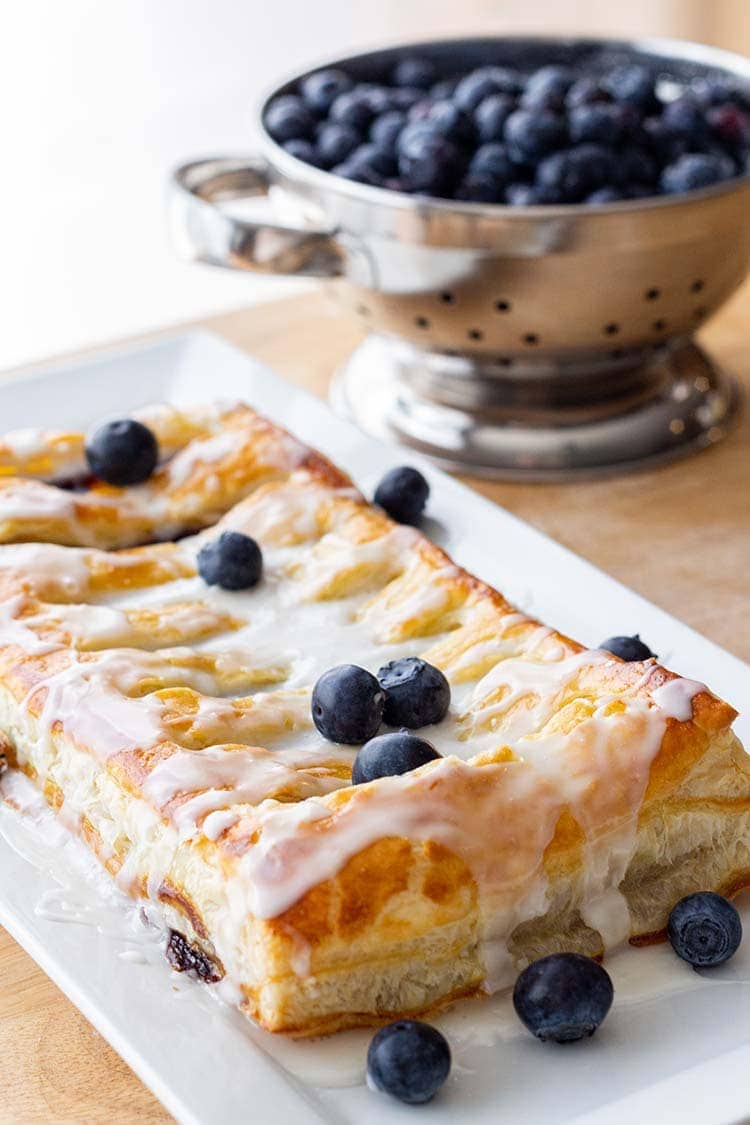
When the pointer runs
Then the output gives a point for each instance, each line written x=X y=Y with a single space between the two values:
x=676 y=403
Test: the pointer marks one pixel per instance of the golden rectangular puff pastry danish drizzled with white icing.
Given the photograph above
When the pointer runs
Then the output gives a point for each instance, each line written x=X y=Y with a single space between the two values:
x=169 y=724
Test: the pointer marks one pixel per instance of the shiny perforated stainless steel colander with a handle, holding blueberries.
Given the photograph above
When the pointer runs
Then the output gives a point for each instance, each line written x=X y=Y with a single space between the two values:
x=540 y=343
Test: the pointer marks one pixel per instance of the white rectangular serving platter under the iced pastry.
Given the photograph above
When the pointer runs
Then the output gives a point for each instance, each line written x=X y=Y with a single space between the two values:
x=676 y=1047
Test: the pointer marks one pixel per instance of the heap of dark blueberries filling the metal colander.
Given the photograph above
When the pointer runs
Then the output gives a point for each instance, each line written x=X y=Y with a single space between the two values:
x=559 y=136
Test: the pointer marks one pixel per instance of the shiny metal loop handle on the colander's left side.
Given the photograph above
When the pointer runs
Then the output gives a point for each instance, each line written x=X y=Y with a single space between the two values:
x=205 y=232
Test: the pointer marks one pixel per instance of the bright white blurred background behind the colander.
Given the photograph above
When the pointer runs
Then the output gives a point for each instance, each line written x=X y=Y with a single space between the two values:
x=101 y=101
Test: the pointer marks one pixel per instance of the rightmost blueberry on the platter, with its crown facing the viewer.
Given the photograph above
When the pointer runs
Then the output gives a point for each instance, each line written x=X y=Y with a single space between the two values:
x=704 y=930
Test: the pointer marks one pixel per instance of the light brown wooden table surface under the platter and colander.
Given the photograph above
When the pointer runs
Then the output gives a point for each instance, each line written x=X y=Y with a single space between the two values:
x=681 y=536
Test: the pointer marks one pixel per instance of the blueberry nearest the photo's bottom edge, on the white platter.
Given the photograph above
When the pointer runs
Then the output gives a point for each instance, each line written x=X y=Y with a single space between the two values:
x=409 y=1060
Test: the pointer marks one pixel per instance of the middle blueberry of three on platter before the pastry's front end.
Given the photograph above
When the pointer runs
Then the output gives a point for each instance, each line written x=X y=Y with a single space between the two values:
x=564 y=997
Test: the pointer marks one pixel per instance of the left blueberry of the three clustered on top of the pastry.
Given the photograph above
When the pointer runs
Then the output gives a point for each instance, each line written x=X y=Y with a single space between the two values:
x=348 y=704
